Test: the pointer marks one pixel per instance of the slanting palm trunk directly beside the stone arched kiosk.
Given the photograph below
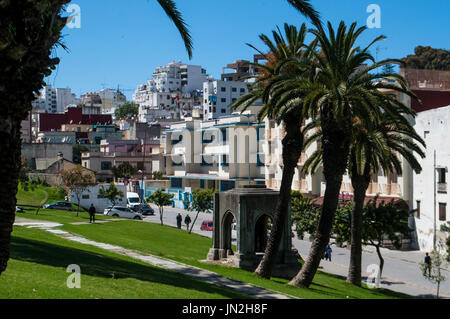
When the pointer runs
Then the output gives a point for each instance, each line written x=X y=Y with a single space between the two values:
x=292 y=148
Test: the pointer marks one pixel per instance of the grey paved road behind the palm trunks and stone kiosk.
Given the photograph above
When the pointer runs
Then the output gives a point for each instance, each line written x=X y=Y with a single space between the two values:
x=401 y=270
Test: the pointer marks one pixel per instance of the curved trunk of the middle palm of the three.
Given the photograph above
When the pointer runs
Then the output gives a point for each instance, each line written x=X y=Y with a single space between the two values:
x=335 y=156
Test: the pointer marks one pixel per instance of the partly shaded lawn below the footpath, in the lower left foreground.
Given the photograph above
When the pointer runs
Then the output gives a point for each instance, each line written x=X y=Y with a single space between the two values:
x=37 y=269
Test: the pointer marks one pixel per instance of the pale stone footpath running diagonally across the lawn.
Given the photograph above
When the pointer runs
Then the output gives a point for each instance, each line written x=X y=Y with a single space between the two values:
x=194 y=272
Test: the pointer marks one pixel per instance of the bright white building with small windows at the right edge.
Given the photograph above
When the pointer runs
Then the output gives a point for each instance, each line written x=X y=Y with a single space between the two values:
x=430 y=194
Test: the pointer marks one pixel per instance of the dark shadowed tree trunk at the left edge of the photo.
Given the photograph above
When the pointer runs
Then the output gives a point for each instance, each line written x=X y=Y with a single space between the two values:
x=9 y=170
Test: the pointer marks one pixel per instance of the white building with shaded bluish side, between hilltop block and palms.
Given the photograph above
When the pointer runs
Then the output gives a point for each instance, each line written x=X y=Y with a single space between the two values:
x=218 y=95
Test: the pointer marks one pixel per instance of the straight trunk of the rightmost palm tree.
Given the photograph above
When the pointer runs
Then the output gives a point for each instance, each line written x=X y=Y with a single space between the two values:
x=360 y=185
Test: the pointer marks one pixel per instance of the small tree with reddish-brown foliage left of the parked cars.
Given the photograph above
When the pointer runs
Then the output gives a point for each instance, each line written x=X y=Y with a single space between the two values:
x=76 y=182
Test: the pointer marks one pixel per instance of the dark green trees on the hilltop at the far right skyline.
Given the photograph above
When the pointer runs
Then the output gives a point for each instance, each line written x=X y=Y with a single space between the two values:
x=428 y=58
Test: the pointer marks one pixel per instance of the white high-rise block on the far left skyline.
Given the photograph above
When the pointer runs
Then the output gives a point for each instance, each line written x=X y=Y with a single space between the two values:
x=54 y=100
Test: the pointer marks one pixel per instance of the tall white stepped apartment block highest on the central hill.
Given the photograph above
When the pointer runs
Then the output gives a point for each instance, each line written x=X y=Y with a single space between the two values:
x=160 y=96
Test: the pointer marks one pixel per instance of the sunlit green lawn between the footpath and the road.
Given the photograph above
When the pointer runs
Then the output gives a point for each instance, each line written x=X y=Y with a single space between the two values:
x=178 y=245
